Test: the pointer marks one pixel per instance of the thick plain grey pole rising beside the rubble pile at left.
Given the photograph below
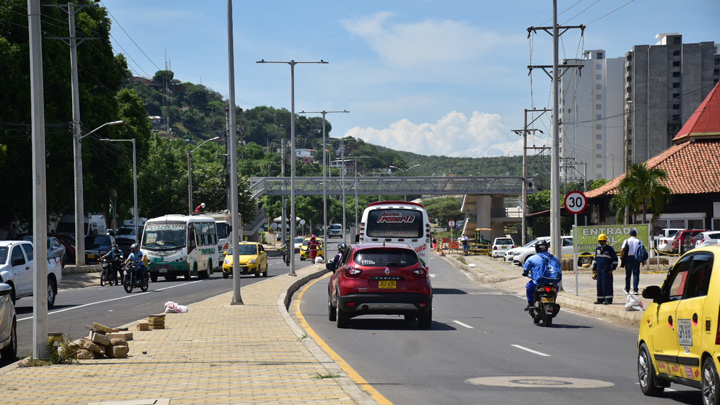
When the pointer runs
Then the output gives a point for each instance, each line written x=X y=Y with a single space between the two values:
x=40 y=305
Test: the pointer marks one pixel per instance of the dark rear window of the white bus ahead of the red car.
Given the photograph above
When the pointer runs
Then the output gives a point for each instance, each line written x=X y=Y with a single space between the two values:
x=395 y=223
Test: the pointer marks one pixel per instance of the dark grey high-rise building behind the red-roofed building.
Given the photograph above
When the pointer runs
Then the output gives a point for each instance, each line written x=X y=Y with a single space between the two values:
x=664 y=84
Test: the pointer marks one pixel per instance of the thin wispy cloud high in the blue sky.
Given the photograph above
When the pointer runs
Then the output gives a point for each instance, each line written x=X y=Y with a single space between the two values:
x=429 y=41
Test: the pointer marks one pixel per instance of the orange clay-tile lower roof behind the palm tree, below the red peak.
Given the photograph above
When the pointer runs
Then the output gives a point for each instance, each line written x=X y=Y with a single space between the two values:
x=692 y=168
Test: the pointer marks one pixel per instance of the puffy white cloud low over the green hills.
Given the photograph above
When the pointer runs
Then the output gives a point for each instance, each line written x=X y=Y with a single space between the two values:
x=453 y=135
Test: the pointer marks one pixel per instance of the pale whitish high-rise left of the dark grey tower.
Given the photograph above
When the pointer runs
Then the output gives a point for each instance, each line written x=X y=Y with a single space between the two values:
x=591 y=130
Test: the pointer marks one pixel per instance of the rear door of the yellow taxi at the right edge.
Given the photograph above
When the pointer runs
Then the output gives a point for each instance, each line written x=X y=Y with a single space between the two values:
x=695 y=327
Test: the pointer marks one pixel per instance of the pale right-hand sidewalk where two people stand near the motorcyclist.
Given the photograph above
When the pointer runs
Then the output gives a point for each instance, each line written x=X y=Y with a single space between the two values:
x=508 y=277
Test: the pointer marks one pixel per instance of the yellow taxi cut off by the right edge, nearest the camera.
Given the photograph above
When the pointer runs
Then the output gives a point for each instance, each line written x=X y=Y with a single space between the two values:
x=679 y=338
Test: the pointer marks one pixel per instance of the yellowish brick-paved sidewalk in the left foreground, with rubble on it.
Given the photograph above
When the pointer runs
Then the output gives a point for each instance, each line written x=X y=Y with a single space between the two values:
x=216 y=353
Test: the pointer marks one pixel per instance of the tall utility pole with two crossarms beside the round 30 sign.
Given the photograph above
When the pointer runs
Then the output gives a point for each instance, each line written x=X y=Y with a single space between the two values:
x=554 y=31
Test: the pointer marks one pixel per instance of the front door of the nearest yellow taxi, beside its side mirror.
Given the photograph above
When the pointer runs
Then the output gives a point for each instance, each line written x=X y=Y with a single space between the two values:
x=664 y=331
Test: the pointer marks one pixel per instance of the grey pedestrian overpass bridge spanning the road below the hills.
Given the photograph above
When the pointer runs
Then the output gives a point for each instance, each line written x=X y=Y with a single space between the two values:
x=483 y=197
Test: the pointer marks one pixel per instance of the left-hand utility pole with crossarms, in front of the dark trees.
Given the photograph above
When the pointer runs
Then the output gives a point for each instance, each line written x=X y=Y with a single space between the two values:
x=73 y=42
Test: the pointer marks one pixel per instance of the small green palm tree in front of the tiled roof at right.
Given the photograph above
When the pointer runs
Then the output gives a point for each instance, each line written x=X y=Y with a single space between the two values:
x=641 y=190
